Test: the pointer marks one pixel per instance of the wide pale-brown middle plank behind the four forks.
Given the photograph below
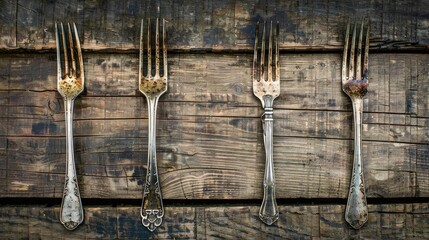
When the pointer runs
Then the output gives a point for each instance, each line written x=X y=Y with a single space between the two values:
x=209 y=129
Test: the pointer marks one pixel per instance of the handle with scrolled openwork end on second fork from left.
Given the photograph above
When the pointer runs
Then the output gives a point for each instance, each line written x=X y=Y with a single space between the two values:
x=152 y=209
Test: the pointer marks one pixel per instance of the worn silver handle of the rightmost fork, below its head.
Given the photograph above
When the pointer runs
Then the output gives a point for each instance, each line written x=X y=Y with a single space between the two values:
x=357 y=209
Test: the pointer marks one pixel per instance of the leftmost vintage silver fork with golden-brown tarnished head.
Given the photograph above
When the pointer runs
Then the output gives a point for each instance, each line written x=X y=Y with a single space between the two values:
x=70 y=84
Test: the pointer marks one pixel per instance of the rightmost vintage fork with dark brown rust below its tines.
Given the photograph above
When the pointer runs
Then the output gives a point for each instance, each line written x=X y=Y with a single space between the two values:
x=355 y=84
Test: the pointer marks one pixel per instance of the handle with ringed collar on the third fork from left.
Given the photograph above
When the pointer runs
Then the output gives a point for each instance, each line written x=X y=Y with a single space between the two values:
x=268 y=212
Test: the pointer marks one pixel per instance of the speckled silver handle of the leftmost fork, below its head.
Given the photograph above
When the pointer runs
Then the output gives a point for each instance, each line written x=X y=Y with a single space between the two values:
x=71 y=214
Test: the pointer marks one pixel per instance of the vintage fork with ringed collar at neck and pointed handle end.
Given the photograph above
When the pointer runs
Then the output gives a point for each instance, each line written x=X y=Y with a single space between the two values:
x=267 y=88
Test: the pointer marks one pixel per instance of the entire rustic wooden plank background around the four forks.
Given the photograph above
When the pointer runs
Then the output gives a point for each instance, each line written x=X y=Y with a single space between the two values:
x=210 y=147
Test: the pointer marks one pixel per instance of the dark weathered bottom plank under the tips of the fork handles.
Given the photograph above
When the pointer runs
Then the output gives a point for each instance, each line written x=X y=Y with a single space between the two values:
x=393 y=221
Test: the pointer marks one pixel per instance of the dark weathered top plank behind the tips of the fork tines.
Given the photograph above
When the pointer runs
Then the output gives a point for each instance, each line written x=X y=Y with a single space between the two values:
x=214 y=25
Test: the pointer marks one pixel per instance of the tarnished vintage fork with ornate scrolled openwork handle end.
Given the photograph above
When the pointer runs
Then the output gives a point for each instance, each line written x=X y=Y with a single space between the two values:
x=152 y=86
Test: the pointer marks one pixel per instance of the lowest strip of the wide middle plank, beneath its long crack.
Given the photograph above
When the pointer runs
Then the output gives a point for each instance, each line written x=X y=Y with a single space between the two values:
x=207 y=168
